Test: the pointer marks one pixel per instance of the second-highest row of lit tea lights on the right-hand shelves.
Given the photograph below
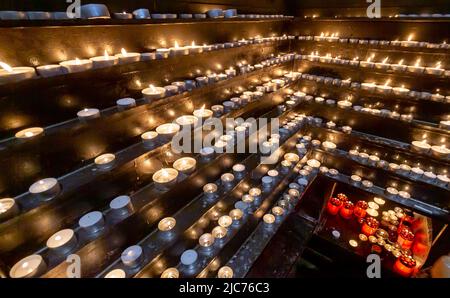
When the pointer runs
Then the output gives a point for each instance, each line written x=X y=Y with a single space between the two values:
x=382 y=65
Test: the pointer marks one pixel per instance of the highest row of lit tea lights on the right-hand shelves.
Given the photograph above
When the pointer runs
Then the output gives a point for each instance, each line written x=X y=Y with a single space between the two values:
x=408 y=43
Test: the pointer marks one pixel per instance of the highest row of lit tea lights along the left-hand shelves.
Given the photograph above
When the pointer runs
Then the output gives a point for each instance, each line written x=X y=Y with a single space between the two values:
x=14 y=74
